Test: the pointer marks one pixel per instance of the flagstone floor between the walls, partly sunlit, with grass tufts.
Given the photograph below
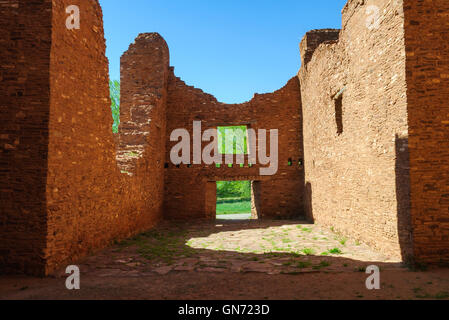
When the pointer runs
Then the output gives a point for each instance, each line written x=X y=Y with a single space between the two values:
x=271 y=247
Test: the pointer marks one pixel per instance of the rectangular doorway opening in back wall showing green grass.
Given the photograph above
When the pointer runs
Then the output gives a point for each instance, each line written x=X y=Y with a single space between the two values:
x=237 y=200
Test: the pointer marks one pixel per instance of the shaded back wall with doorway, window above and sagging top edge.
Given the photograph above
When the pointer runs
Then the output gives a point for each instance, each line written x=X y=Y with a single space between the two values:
x=186 y=187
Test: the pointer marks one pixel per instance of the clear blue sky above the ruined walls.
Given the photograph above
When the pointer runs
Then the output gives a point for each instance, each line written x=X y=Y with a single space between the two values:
x=229 y=48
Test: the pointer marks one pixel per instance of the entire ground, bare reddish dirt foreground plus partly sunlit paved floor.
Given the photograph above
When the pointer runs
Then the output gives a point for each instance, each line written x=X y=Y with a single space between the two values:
x=235 y=260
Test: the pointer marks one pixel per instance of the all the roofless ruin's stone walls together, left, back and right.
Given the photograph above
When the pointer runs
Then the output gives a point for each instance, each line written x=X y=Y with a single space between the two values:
x=69 y=186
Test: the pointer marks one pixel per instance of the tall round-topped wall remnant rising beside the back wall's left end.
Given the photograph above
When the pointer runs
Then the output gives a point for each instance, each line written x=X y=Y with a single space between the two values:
x=144 y=78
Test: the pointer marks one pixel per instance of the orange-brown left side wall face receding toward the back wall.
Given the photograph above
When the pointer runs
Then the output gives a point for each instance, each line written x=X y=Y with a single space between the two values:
x=90 y=202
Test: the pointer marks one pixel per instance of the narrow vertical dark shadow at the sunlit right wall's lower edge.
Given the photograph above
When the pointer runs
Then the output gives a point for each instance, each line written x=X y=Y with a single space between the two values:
x=403 y=198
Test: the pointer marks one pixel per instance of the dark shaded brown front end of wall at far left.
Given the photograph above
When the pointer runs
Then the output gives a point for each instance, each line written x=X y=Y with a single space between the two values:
x=25 y=41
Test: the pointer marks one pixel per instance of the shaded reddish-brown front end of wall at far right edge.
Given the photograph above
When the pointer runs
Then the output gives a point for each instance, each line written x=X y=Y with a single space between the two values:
x=427 y=66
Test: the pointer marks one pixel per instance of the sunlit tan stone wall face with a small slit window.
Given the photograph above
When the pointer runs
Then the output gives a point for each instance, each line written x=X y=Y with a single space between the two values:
x=357 y=180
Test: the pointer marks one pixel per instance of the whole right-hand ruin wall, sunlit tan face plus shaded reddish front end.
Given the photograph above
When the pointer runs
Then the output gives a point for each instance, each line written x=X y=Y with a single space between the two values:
x=384 y=179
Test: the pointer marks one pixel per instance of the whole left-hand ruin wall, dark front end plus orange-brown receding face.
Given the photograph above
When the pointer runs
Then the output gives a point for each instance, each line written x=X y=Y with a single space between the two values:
x=64 y=195
